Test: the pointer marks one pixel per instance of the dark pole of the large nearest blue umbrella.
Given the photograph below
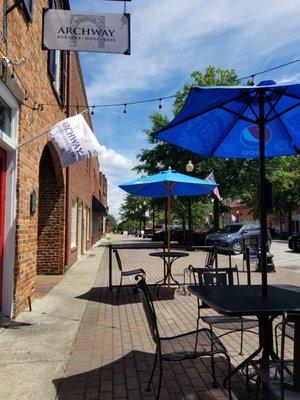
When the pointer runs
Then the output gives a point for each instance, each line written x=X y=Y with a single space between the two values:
x=263 y=208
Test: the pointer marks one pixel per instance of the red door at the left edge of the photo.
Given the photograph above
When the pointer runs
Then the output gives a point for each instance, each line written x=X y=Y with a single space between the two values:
x=2 y=208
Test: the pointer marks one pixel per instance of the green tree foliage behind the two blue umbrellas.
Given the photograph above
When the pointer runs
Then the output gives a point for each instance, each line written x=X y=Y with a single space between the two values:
x=237 y=178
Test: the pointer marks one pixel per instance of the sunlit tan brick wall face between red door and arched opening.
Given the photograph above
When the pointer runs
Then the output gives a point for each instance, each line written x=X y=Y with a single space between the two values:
x=24 y=40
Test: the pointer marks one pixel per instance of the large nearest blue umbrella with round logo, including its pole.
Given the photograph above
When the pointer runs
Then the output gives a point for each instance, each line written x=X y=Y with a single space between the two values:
x=240 y=122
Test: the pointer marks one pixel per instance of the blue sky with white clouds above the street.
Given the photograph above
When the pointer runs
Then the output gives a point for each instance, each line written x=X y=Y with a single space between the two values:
x=169 y=40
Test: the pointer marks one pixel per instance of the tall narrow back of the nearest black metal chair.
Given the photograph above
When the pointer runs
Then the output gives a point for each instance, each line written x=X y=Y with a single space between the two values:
x=142 y=289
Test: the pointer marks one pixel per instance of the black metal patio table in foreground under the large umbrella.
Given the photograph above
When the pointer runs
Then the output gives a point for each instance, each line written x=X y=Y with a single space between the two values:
x=247 y=300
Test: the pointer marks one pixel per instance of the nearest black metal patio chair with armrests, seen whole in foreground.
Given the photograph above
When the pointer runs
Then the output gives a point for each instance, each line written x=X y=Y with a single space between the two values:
x=187 y=346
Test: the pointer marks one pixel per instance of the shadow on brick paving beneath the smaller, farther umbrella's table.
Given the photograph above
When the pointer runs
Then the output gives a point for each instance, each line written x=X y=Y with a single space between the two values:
x=126 y=295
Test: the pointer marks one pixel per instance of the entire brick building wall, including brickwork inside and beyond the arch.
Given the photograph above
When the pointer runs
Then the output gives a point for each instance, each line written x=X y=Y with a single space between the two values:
x=24 y=40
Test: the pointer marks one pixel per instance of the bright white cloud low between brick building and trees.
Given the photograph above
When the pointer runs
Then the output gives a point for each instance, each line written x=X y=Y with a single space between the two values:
x=118 y=169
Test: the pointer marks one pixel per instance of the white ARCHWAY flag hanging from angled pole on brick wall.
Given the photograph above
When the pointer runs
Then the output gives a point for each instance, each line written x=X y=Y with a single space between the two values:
x=74 y=140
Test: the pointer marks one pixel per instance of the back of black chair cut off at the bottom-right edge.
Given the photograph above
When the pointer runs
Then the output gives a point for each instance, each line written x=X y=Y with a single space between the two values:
x=288 y=375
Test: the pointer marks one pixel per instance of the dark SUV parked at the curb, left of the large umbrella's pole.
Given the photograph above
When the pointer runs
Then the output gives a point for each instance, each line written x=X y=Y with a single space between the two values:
x=231 y=237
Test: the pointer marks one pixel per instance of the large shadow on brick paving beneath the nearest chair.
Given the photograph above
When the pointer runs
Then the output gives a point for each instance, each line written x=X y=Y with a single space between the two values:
x=127 y=378
